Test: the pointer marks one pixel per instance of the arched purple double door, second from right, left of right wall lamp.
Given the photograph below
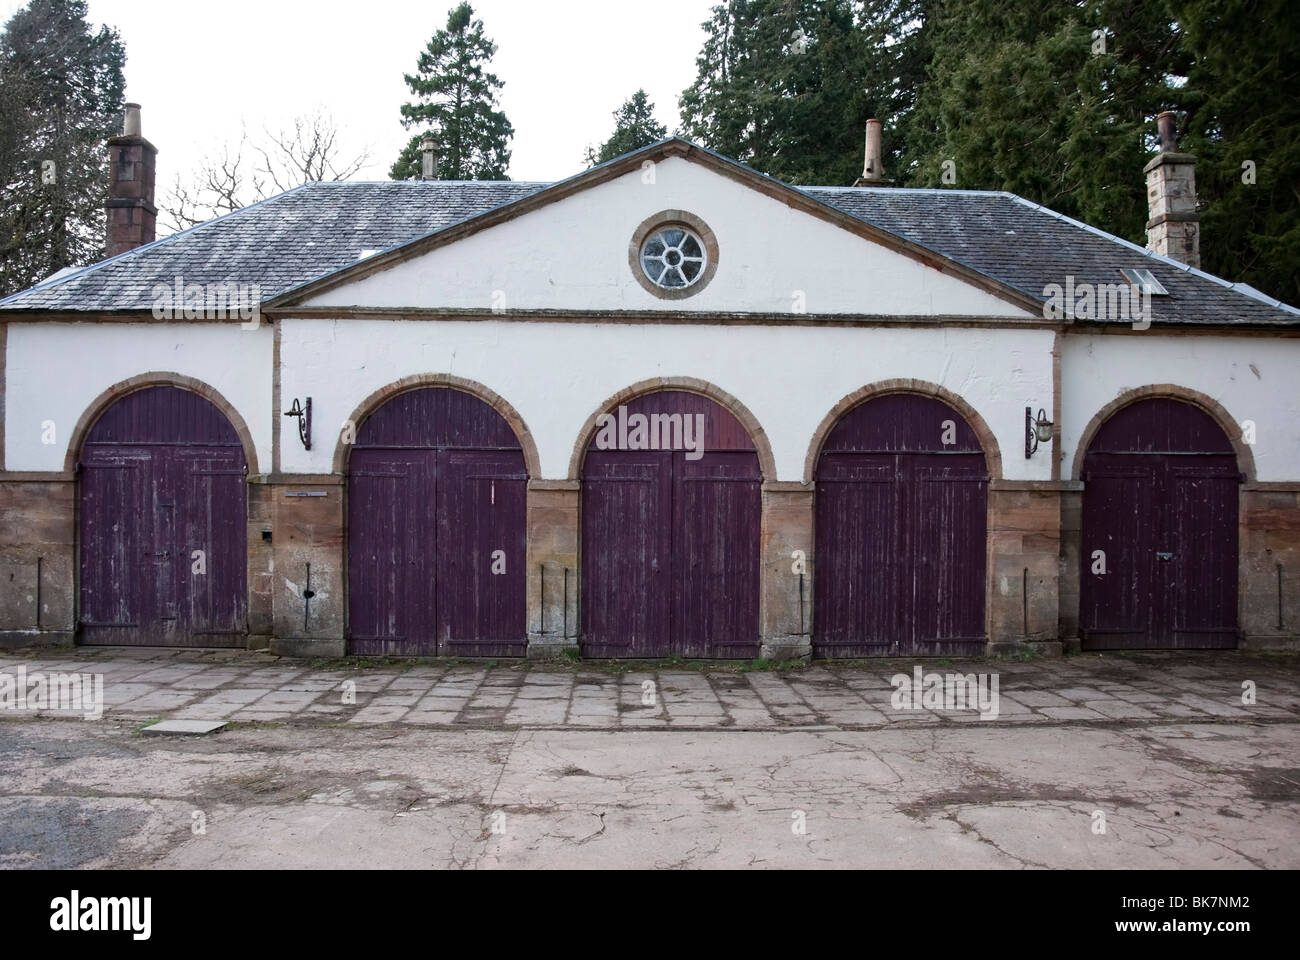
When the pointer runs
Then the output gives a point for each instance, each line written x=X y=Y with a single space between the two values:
x=902 y=518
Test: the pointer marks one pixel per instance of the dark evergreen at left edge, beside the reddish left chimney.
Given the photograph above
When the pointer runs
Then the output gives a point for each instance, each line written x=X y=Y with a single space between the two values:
x=62 y=92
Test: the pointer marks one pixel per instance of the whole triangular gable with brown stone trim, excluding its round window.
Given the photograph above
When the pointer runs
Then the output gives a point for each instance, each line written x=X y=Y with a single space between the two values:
x=566 y=249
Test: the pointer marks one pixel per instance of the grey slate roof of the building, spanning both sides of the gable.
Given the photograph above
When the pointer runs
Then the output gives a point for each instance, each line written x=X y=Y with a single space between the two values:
x=324 y=235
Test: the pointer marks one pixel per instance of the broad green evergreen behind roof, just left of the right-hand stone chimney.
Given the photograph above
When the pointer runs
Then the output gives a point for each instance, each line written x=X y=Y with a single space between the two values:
x=1054 y=102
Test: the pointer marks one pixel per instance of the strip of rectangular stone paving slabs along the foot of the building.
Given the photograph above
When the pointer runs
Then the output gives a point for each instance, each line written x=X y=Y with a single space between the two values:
x=259 y=687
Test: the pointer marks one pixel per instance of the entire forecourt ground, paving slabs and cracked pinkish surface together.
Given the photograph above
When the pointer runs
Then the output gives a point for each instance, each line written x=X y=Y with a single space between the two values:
x=822 y=782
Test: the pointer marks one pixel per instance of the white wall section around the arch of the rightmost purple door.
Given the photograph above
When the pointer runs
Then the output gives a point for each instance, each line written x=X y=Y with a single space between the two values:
x=1253 y=378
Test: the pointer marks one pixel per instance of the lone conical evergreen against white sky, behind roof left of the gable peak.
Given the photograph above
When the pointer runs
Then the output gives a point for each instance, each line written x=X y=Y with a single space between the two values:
x=456 y=102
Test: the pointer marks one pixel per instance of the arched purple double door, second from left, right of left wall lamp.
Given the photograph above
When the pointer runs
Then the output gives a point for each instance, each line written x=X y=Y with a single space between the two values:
x=436 y=520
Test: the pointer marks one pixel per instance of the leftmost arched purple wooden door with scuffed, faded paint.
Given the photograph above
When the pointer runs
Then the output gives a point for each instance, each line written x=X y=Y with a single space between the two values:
x=163 y=525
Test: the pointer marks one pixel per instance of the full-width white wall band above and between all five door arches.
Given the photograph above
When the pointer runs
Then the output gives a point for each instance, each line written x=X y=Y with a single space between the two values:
x=558 y=374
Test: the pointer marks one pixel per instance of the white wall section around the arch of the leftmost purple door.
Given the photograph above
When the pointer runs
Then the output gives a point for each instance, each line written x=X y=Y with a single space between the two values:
x=57 y=371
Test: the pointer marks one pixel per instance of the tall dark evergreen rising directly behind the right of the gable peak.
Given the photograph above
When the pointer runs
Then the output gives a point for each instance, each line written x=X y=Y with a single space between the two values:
x=781 y=87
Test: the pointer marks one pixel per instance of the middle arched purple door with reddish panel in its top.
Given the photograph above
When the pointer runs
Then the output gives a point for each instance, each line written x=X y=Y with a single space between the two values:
x=671 y=533
